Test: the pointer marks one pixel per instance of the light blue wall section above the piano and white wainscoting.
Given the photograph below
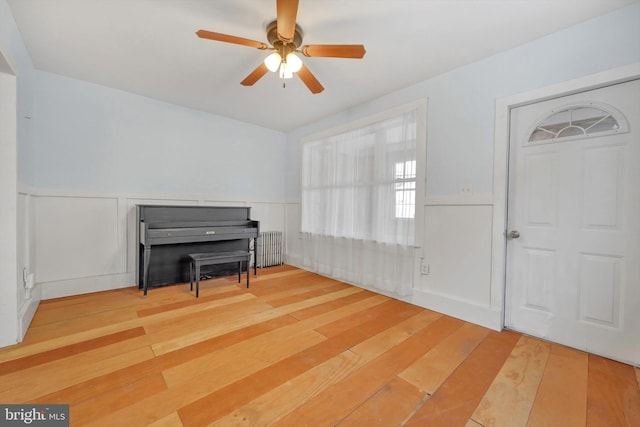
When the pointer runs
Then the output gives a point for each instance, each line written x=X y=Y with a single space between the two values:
x=92 y=138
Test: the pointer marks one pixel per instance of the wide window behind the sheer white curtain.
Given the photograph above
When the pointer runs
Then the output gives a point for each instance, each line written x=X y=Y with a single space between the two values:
x=362 y=183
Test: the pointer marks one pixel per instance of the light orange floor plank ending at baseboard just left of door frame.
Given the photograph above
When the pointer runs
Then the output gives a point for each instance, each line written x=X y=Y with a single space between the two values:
x=433 y=368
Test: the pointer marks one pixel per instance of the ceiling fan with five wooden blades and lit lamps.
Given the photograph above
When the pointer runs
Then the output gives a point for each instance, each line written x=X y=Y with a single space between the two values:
x=285 y=38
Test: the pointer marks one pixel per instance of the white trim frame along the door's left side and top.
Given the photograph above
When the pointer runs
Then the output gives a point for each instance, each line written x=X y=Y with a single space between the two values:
x=502 y=122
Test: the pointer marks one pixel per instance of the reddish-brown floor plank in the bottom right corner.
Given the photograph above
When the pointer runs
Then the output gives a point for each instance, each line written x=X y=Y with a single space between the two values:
x=613 y=398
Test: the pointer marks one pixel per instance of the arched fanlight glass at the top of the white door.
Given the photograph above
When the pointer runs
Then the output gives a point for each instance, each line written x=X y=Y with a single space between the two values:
x=578 y=121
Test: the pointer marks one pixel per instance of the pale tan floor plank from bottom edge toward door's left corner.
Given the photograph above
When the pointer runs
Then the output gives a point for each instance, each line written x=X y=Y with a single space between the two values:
x=510 y=397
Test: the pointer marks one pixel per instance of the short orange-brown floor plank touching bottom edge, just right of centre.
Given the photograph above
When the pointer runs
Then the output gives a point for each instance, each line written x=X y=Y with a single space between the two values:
x=388 y=407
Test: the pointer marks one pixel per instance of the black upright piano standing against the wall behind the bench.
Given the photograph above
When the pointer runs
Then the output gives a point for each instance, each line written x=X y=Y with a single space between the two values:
x=167 y=234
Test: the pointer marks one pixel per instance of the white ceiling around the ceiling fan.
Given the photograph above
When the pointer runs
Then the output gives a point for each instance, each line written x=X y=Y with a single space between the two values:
x=149 y=47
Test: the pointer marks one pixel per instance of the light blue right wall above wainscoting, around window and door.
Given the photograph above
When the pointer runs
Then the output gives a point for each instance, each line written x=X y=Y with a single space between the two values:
x=461 y=102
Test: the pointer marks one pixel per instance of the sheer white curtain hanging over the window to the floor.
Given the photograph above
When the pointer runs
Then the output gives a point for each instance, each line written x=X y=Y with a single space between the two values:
x=358 y=203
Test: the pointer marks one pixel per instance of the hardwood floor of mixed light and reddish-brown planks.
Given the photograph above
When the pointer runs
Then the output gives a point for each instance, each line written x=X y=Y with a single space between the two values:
x=298 y=349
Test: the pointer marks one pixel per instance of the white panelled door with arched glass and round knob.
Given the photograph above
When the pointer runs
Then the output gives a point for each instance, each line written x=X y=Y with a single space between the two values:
x=573 y=273
